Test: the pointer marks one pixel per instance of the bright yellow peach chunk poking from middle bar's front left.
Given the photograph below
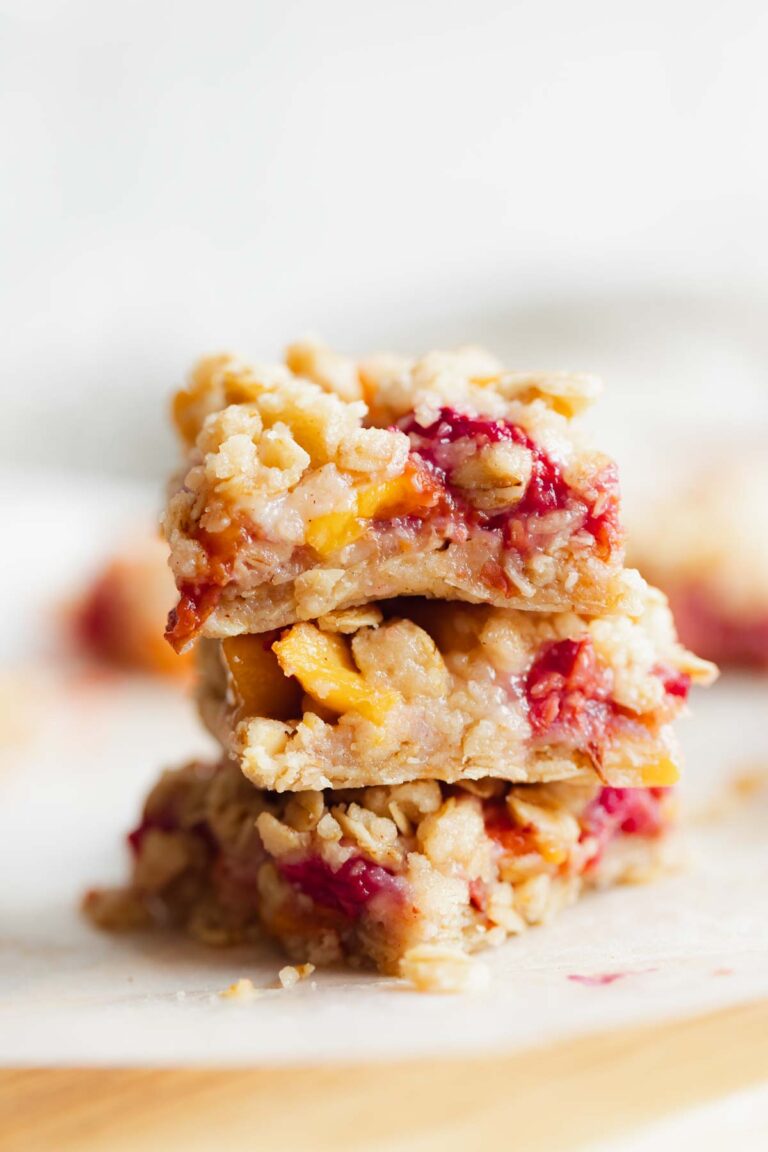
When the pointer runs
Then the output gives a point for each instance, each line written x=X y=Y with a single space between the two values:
x=324 y=666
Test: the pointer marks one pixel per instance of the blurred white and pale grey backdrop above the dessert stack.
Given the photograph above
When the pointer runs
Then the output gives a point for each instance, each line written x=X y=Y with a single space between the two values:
x=576 y=185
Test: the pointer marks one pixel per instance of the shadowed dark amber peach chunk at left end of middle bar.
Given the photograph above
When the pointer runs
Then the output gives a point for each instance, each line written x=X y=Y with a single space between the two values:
x=261 y=687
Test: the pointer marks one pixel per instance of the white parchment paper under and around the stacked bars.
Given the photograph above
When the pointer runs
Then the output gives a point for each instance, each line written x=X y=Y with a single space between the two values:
x=79 y=751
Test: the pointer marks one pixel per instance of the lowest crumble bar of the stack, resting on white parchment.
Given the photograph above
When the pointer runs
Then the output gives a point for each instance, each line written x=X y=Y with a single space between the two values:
x=407 y=878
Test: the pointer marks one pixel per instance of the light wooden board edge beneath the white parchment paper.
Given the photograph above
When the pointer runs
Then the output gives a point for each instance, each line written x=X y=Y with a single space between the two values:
x=552 y=1100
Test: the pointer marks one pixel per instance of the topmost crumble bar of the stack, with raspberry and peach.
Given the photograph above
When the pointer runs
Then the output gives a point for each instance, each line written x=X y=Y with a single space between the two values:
x=329 y=483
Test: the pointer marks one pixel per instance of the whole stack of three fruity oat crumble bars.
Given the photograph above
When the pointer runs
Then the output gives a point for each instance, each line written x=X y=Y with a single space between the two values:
x=445 y=707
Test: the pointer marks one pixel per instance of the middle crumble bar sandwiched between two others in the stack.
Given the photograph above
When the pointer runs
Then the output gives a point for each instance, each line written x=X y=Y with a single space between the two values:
x=451 y=692
